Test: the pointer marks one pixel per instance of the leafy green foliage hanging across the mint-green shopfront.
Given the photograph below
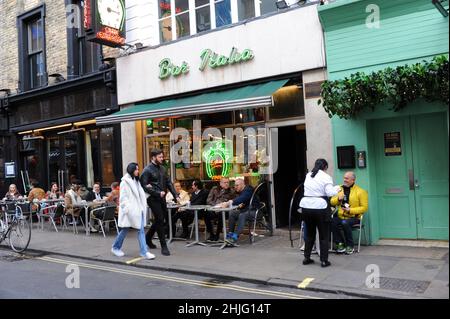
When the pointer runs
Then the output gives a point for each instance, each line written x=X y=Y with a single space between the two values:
x=393 y=86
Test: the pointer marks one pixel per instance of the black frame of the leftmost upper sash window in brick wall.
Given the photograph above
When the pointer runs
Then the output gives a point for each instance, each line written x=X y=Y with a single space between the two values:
x=24 y=21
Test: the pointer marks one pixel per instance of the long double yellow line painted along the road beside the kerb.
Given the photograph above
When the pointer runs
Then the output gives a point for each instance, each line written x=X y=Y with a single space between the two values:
x=179 y=280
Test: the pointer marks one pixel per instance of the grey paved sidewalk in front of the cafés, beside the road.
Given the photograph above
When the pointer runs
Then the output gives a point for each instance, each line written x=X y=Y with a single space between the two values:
x=380 y=271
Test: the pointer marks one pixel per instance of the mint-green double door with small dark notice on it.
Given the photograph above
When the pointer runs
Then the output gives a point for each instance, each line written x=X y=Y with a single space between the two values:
x=412 y=176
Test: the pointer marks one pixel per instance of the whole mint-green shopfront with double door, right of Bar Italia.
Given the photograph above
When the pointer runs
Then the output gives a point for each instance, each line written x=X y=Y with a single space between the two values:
x=401 y=157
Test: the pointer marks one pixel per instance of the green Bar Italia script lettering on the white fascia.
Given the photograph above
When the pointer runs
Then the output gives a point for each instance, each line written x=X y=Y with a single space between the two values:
x=208 y=58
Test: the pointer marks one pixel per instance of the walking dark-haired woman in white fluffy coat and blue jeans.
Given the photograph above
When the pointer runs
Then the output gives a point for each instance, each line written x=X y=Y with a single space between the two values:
x=132 y=211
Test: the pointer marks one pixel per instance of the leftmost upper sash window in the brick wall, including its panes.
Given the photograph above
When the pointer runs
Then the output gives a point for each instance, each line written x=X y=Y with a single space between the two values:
x=32 y=64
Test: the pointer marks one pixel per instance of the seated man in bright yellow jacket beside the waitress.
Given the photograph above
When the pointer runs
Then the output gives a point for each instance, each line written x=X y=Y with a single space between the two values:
x=352 y=202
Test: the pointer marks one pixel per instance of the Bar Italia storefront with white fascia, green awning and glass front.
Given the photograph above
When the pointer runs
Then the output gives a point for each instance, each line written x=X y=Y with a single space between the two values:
x=260 y=75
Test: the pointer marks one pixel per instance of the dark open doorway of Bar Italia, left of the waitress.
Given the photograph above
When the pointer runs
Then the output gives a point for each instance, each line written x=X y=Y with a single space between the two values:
x=291 y=170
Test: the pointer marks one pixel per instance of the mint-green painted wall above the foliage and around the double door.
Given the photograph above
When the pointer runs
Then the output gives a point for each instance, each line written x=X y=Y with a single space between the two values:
x=410 y=31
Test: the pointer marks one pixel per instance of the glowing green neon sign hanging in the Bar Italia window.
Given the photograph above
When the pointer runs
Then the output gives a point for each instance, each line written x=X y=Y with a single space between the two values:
x=217 y=156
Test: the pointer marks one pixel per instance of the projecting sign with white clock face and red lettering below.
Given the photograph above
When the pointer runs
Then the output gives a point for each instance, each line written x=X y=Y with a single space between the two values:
x=104 y=22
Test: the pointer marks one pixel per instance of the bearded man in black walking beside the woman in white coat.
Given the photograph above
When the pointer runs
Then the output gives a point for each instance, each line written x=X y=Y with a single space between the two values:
x=155 y=181
